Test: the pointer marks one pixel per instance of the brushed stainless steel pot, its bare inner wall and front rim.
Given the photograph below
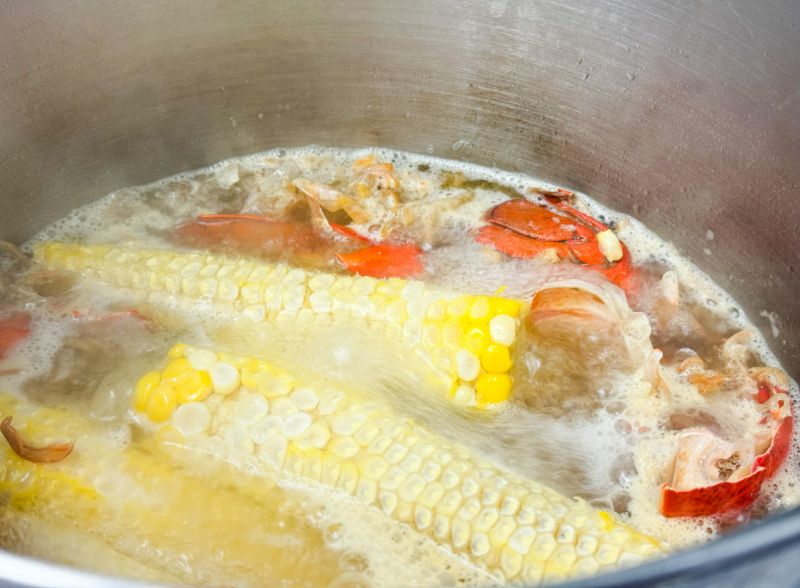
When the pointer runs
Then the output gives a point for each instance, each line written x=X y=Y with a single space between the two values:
x=686 y=115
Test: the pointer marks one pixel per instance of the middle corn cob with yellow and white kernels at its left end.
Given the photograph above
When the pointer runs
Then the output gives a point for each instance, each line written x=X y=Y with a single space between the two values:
x=269 y=422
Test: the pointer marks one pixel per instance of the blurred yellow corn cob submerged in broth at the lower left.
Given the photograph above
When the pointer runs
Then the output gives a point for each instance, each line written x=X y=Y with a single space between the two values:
x=136 y=502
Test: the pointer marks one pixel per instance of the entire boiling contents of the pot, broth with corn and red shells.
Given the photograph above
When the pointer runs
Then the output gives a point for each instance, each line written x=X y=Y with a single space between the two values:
x=325 y=367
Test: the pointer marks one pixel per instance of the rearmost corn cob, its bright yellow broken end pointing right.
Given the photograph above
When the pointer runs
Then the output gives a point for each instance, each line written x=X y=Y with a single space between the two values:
x=468 y=339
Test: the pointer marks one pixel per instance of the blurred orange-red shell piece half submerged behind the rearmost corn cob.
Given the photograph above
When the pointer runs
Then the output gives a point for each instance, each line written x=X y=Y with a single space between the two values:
x=247 y=233
